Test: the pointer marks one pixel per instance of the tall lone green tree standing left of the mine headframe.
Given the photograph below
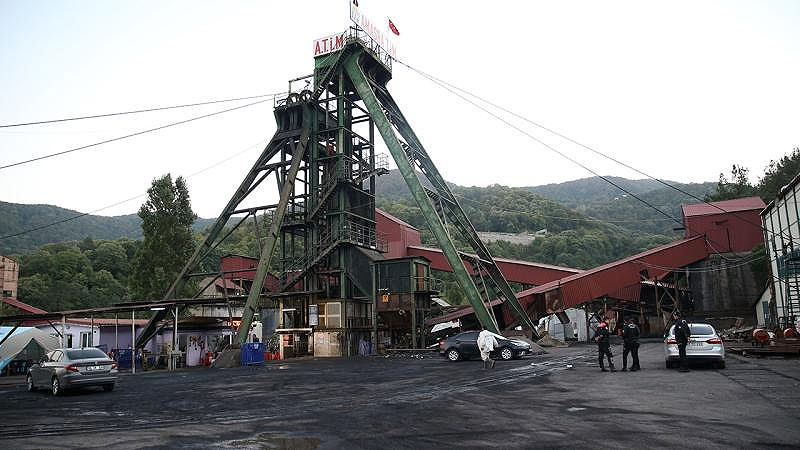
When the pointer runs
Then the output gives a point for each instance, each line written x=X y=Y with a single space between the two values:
x=167 y=220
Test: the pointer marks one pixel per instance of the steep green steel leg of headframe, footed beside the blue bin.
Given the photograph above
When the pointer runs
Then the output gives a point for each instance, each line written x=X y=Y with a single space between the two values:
x=271 y=239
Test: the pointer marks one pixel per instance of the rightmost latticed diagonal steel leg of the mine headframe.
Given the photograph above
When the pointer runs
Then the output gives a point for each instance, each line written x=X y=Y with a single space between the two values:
x=460 y=219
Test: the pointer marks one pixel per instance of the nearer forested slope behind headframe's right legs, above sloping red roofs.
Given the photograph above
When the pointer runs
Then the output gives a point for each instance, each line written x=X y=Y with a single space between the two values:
x=572 y=239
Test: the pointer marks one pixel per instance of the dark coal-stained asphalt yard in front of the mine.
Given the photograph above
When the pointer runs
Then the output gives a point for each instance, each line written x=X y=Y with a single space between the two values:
x=398 y=403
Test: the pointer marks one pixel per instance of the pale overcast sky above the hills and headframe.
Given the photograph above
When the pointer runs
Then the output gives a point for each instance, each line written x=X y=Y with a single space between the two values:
x=680 y=90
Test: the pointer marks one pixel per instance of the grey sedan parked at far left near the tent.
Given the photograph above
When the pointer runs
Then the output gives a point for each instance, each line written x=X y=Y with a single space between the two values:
x=73 y=368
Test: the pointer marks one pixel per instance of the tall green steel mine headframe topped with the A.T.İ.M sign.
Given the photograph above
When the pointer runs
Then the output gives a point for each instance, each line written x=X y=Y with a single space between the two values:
x=321 y=237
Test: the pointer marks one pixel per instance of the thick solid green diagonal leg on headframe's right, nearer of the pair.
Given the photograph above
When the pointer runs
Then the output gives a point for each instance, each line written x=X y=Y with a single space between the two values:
x=374 y=106
